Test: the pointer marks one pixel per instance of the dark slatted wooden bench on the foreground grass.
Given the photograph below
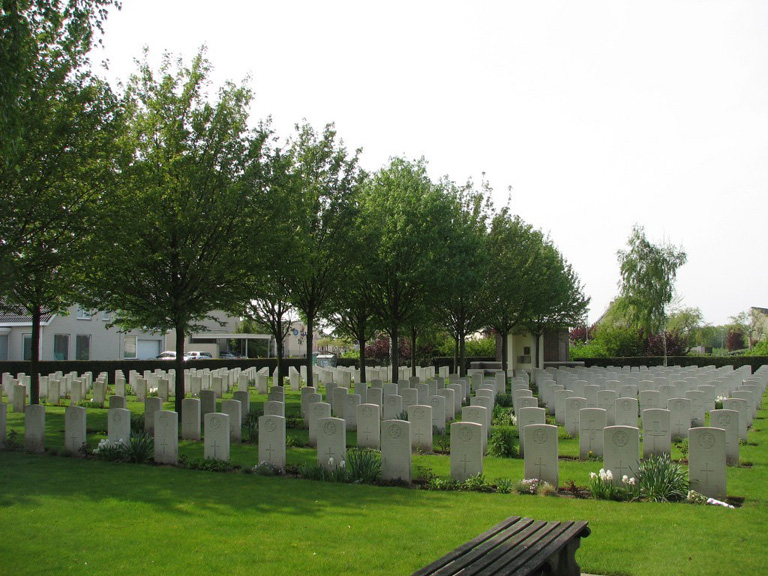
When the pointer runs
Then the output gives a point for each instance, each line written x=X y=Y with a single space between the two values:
x=519 y=546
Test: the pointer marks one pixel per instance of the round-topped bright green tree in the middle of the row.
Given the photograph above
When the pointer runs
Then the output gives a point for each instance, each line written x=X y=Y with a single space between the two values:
x=406 y=213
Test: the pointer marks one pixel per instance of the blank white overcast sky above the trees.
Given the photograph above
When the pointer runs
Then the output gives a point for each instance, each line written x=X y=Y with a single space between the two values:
x=599 y=115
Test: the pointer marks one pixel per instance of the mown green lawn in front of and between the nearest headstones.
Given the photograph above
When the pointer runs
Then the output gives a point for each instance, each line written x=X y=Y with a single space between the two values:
x=68 y=515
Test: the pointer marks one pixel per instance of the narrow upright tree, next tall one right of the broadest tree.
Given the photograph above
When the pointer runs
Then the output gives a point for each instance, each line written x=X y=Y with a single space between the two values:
x=321 y=212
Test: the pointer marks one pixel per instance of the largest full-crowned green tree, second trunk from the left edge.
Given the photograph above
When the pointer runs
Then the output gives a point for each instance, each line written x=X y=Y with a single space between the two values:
x=174 y=242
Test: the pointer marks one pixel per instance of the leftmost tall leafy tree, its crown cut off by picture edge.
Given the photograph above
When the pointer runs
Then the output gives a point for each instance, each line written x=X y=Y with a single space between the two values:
x=59 y=125
